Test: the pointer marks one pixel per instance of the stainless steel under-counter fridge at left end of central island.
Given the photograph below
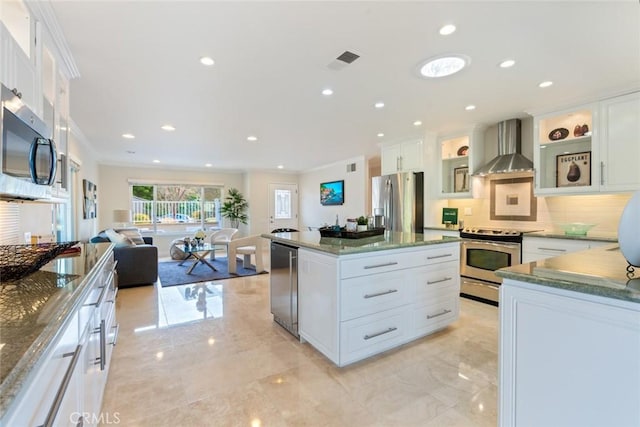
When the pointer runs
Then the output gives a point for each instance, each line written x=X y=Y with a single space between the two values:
x=284 y=286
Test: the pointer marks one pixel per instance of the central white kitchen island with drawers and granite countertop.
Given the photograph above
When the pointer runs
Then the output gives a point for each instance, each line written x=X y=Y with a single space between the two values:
x=360 y=297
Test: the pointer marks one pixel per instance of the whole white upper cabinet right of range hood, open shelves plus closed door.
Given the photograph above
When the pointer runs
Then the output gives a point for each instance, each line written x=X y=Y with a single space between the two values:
x=603 y=159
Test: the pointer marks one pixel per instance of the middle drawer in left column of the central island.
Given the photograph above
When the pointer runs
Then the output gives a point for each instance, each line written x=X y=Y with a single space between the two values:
x=361 y=296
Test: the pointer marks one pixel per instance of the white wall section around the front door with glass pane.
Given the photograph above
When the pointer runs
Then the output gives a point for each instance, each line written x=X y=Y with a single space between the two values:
x=257 y=193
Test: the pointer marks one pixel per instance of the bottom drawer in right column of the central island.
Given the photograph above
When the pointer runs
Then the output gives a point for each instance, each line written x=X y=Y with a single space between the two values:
x=439 y=313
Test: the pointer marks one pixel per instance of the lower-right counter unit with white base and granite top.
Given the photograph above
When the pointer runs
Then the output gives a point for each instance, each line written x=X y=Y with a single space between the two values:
x=570 y=341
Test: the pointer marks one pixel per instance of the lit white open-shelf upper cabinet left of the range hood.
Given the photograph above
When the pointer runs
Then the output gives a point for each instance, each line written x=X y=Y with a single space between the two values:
x=459 y=155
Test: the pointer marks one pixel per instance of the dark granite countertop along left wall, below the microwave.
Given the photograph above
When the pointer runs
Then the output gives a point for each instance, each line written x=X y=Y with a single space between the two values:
x=33 y=311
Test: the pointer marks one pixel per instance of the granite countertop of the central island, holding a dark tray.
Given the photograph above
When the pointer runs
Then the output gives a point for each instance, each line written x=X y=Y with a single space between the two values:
x=341 y=246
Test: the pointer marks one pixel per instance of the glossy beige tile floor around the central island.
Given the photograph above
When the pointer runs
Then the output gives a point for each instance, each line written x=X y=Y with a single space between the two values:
x=219 y=360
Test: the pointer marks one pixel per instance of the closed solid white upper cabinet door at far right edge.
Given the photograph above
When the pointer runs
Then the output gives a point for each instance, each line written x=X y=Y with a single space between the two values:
x=620 y=140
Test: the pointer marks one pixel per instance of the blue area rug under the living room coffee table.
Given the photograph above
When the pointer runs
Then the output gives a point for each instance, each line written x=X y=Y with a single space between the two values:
x=172 y=274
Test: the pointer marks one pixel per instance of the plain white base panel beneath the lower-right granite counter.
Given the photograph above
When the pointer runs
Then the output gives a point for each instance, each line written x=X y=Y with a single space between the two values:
x=567 y=358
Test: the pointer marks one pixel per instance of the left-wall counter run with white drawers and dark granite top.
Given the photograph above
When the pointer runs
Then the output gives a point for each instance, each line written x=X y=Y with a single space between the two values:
x=54 y=364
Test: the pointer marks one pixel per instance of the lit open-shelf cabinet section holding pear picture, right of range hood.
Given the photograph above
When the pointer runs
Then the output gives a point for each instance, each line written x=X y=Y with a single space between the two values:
x=566 y=151
